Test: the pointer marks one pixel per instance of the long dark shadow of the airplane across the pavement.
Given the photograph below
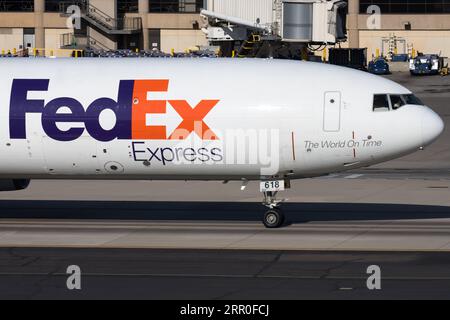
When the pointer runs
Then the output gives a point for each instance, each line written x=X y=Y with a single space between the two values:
x=214 y=211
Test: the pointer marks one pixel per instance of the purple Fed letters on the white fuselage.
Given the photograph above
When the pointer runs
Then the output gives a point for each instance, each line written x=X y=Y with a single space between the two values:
x=20 y=106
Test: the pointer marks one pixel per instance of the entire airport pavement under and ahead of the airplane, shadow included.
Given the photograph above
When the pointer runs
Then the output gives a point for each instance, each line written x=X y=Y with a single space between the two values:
x=204 y=240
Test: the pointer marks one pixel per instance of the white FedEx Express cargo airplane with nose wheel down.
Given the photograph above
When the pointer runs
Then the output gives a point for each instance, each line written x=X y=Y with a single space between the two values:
x=244 y=120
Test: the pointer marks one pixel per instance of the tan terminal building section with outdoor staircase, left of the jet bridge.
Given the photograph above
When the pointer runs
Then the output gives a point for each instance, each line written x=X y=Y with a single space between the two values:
x=114 y=24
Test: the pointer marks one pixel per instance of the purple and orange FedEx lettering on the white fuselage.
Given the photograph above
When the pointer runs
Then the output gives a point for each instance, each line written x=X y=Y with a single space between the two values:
x=131 y=109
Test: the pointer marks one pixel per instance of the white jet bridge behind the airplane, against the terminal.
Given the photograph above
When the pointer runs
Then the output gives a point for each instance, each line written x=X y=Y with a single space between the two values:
x=269 y=27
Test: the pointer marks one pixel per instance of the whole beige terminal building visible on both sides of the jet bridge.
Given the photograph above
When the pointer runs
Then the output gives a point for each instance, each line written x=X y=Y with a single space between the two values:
x=422 y=25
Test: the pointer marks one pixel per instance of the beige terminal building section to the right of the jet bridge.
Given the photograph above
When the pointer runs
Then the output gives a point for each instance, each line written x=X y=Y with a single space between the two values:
x=420 y=24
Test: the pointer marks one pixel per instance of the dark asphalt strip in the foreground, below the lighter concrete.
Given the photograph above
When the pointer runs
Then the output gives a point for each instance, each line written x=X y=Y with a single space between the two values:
x=221 y=275
